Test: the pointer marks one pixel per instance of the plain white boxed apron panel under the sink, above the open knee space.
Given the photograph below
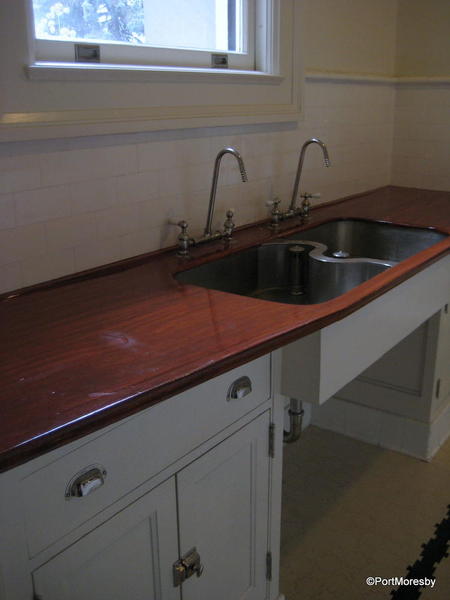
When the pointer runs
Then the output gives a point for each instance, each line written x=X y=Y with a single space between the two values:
x=317 y=366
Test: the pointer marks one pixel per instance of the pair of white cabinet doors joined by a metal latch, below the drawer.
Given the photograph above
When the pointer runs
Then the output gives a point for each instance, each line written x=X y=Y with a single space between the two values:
x=223 y=511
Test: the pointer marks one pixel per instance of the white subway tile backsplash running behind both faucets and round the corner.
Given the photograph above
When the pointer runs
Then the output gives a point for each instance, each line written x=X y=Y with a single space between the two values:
x=103 y=202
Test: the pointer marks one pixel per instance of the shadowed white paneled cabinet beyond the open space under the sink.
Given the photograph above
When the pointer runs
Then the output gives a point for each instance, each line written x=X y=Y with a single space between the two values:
x=402 y=401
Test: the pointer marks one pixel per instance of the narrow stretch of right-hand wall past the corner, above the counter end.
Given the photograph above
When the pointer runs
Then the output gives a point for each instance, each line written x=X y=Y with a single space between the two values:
x=421 y=155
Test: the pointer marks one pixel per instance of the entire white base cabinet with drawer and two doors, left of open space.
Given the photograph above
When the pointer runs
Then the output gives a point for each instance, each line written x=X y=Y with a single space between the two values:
x=195 y=471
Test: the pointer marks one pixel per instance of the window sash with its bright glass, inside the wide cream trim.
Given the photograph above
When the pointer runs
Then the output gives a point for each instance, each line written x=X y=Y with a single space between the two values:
x=172 y=33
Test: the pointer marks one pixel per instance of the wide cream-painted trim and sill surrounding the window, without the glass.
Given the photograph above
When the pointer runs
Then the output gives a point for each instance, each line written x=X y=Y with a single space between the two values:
x=63 y=100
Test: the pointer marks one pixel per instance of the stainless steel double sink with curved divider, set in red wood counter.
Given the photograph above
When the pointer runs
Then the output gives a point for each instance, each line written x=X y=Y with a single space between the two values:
x=312 y=266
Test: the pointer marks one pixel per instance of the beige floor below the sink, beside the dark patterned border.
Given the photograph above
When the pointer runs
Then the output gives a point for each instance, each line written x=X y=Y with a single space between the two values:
x=352 y=510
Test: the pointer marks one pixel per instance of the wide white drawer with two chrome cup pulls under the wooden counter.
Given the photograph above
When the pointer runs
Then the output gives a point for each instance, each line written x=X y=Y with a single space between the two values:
x=134 y=451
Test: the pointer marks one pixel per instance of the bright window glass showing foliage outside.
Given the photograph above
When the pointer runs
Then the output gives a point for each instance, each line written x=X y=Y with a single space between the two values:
x=195 y=24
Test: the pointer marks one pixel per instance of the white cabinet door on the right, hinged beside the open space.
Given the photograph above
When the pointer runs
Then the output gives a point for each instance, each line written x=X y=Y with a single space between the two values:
x=223 y=513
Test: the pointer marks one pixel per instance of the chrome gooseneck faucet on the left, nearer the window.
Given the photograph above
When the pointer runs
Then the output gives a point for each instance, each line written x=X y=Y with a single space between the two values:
x=184 y=241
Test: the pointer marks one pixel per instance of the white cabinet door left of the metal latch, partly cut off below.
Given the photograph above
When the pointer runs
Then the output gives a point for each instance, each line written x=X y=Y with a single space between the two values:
x=129 y=556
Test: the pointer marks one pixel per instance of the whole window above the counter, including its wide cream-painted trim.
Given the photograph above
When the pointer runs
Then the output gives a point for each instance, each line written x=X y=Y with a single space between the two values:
x=123 y=95
